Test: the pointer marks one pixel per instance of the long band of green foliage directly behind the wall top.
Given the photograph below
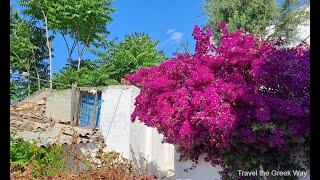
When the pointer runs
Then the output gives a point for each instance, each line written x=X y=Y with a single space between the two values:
x=132 y=53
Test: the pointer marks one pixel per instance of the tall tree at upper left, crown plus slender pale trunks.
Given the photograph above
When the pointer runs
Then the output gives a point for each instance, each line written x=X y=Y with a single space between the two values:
x=84 y=21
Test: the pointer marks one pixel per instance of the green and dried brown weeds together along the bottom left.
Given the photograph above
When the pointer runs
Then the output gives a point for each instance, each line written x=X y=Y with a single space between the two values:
x=31 y=162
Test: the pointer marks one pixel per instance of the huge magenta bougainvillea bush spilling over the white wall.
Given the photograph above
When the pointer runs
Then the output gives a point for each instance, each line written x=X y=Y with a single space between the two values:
x=238 y=102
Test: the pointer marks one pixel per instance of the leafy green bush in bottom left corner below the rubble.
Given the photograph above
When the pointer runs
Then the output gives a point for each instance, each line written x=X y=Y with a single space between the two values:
x=45 y=162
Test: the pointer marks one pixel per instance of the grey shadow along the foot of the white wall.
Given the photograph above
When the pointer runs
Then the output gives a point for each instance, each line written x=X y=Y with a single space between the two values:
x=140 y=161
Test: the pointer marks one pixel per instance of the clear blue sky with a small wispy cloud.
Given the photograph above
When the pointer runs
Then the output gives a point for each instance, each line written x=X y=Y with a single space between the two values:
x=168 y=21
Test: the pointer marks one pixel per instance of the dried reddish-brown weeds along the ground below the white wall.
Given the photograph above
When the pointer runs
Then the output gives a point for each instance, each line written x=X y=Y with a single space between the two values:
x=113 y=166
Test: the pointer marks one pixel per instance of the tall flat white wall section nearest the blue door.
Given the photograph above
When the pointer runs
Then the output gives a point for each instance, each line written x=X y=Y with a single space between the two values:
x=115 y=118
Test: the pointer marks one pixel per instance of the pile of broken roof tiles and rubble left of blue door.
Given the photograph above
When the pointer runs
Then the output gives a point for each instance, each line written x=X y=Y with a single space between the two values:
x=28 y=120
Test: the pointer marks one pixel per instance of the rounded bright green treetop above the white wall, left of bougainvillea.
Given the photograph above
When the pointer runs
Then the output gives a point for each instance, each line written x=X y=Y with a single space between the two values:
x=134 y=52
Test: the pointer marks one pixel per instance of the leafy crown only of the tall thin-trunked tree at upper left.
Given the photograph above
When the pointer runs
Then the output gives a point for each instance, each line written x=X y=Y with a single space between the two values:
x=85 y=20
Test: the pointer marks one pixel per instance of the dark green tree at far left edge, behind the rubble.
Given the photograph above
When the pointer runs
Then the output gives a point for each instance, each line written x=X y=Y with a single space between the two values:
x=27 y=56
